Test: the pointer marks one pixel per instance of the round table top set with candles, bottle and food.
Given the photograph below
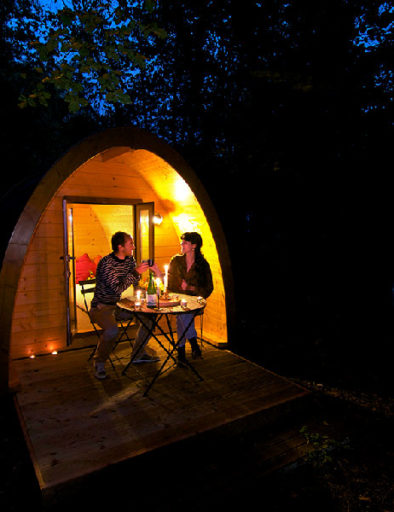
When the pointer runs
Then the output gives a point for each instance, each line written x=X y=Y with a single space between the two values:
x=193 y=304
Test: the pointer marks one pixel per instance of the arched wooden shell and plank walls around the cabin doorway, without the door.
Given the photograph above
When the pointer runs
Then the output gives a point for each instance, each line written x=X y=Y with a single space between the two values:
x=118 y=164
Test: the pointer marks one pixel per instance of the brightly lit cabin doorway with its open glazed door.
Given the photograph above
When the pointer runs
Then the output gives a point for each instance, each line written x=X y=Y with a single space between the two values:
x=89 y=224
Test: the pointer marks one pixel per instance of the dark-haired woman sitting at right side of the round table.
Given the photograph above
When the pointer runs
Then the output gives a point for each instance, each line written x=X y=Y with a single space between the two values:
x=189 y=273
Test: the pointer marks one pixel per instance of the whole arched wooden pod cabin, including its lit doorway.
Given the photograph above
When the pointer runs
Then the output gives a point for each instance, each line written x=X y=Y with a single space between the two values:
x=116 y=180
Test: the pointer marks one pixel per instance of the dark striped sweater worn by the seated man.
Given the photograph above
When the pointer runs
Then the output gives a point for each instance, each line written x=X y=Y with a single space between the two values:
x=113 y=277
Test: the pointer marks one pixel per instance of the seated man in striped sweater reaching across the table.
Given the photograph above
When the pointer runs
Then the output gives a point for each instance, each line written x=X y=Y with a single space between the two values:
x=115 y=273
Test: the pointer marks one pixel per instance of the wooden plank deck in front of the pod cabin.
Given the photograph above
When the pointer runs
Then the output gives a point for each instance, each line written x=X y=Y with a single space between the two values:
x=76 y=425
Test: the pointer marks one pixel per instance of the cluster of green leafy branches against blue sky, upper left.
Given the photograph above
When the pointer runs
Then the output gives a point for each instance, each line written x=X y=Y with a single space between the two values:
x=91 y=55
